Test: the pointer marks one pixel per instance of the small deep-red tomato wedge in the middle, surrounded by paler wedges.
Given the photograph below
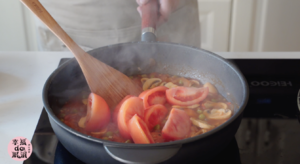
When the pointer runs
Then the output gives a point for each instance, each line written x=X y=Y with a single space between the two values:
x=154 y=115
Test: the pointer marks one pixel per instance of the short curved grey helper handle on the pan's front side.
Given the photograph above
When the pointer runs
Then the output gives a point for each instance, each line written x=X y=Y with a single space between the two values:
x=142 y=155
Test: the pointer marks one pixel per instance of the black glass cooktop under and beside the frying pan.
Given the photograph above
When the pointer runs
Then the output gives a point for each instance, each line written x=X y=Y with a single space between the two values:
x=269 y=132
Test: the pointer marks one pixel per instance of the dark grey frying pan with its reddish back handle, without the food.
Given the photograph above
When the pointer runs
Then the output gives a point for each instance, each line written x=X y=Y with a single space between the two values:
x=134 y=58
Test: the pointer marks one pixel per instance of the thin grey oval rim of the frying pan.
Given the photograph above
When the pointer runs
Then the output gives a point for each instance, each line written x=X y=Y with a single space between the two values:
x=240 y=110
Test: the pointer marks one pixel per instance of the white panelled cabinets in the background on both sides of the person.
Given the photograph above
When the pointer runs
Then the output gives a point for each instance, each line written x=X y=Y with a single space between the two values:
x=226 y=25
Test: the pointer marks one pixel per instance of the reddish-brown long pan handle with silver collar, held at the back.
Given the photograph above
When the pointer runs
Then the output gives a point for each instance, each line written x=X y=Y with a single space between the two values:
x=149 y=18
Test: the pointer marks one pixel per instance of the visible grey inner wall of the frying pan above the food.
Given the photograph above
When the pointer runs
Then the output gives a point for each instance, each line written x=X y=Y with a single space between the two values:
x=138 y=58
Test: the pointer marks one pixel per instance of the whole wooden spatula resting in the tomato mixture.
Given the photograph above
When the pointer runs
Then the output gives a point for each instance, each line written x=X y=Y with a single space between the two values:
x=102 y=79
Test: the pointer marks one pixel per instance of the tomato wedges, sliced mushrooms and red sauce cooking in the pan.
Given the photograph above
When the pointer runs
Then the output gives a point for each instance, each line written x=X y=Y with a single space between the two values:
x=170 y=108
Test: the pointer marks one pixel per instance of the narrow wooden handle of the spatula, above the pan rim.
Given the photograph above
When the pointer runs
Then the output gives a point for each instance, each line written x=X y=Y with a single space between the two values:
x=37 y=8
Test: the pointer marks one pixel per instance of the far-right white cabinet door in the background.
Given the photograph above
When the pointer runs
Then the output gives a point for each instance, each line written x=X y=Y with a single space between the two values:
x=265 y=25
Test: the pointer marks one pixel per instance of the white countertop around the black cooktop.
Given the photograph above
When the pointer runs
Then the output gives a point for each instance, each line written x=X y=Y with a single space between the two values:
x=22 y=77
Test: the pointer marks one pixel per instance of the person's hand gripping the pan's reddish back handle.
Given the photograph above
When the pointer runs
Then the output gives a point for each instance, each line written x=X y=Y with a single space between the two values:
x=166 y=7
